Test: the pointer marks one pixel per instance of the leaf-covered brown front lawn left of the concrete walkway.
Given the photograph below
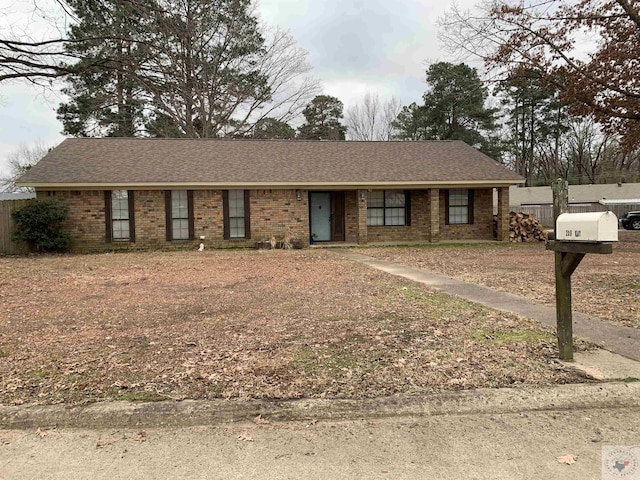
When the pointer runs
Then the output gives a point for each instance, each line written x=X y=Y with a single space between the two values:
x=267 y=324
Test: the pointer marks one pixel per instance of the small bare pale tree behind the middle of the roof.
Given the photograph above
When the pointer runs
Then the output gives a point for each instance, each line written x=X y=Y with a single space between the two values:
x=372 y=120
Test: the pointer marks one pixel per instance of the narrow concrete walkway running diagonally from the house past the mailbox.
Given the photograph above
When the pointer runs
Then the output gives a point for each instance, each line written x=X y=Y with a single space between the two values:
x=622 y=340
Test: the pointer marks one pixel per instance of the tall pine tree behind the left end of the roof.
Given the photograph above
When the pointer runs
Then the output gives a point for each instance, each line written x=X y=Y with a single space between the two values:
x=107 y=98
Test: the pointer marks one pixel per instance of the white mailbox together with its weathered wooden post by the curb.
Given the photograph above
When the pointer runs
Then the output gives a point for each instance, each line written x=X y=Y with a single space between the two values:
x=570 y=247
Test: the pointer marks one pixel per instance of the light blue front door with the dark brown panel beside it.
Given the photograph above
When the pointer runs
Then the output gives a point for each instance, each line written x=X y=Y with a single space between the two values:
x=327 y=216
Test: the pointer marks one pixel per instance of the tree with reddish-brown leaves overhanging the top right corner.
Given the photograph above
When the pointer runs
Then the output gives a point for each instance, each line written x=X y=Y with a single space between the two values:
x=586 y=49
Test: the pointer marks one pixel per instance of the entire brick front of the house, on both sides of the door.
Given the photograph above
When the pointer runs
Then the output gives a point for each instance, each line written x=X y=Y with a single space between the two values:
x=274 y=213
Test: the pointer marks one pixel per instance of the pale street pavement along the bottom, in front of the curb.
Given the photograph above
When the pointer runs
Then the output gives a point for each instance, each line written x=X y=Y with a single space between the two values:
x=525 y=445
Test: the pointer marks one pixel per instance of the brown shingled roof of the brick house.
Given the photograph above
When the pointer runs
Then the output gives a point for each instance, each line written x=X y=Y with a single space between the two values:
x=137 y=162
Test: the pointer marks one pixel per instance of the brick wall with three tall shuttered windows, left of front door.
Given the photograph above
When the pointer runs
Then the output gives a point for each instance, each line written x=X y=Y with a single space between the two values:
x=273 y=213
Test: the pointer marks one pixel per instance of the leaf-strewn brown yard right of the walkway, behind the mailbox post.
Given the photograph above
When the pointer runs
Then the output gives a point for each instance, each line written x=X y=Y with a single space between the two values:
x=607 y=286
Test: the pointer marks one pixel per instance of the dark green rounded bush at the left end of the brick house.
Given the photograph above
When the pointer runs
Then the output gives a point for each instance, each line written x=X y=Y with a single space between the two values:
x=39 y=225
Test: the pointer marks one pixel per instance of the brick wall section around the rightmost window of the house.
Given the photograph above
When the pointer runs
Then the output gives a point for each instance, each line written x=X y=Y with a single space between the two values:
x=482 y=227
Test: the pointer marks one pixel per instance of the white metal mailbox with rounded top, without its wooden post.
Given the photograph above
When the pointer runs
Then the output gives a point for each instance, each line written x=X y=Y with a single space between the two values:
x=587 y=227
